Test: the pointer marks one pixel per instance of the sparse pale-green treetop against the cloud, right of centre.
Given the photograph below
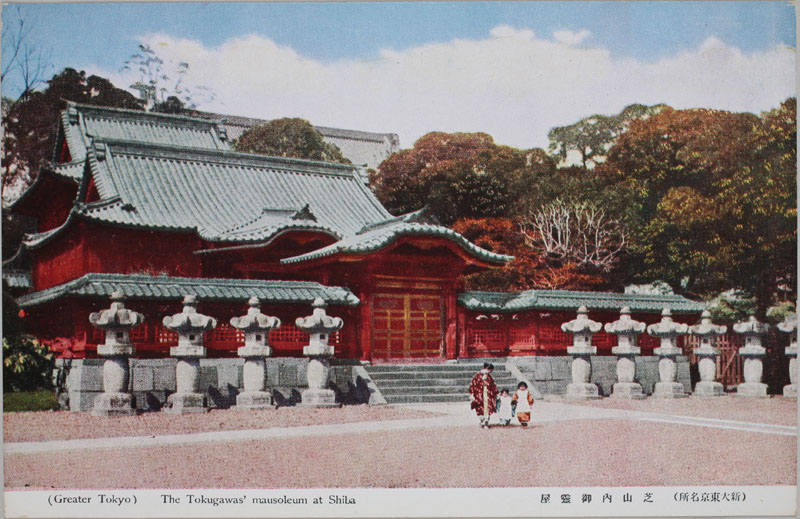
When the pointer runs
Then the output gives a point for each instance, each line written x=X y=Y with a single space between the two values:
x=593 y=136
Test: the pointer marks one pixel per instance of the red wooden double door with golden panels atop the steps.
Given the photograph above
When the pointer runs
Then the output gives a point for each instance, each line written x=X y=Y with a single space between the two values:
x=407 y=326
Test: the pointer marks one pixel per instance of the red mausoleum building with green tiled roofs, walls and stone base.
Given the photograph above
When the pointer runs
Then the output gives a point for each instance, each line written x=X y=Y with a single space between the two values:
x=158 y=207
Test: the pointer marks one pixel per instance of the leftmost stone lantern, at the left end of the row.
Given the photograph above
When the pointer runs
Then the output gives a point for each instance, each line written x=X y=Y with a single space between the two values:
x=116 y=322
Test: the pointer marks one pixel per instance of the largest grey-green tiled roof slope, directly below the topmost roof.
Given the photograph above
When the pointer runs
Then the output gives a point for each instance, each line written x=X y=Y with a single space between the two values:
x=223 y=195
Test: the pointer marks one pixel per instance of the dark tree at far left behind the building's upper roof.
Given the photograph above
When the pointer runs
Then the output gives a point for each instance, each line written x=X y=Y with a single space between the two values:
x=29 y=126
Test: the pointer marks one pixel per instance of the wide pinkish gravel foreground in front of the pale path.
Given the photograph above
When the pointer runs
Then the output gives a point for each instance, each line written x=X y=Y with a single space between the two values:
x=579 y=453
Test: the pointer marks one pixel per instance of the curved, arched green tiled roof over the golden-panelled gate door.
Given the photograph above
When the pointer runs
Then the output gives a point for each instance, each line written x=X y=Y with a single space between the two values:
x=376 y=236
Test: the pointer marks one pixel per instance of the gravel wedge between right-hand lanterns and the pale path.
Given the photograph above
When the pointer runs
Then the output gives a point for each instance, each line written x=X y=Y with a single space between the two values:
x=776 y=410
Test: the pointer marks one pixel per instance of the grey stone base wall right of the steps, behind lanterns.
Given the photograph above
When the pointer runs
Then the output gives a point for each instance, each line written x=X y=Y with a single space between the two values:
x=550 y=375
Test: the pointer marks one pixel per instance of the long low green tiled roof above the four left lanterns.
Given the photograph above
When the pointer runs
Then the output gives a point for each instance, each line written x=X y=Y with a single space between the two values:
x=210 y=289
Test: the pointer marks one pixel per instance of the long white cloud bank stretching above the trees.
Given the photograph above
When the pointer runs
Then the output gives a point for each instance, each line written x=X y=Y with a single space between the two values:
x=511 y=84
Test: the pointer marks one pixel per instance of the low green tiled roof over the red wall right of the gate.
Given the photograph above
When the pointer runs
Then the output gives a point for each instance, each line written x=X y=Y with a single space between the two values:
x=571 y=300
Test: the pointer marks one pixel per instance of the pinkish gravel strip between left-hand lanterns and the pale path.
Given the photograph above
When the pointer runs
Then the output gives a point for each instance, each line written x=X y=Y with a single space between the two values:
x=60 y=425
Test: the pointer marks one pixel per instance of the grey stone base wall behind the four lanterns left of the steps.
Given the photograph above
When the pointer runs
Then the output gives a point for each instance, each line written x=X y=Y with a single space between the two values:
x=79 y=381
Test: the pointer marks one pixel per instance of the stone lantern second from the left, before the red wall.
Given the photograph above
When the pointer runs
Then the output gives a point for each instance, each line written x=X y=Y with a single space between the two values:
x=190 y=327
